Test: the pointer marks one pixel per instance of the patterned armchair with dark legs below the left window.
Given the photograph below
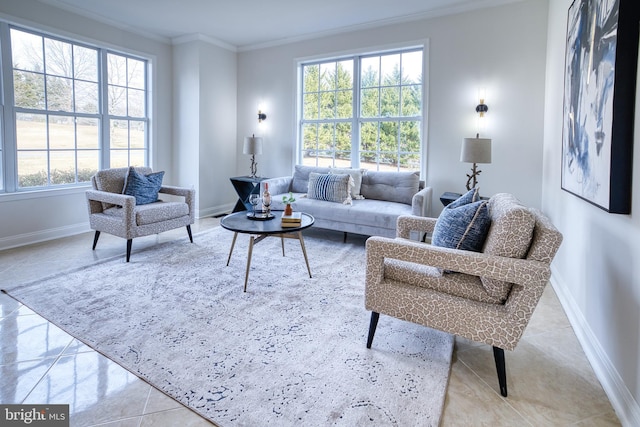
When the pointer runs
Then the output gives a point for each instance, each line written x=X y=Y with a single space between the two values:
x=118 y=214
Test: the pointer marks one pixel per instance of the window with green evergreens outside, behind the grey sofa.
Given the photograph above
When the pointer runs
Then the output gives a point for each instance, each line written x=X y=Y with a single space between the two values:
x=363 y=111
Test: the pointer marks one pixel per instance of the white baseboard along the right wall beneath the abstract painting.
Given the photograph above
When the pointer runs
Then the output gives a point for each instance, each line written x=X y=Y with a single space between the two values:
x=627 y=409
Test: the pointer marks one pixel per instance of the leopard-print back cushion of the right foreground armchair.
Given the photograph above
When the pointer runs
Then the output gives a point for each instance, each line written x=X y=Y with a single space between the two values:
x=510 y=236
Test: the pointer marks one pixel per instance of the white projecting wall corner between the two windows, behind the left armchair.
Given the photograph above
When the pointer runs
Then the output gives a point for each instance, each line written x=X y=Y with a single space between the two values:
x=205 y=122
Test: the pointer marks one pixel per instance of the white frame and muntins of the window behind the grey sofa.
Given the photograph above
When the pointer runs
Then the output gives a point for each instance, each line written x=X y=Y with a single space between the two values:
x=357 y=118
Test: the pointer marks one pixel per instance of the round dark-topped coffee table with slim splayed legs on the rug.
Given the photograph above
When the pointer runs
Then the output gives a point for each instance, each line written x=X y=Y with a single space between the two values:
x=239 y=222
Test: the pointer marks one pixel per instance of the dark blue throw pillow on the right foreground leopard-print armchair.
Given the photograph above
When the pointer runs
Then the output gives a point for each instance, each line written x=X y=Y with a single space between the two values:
x=463 y=224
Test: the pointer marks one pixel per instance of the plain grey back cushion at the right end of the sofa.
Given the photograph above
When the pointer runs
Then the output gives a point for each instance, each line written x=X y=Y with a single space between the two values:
x=391 y=186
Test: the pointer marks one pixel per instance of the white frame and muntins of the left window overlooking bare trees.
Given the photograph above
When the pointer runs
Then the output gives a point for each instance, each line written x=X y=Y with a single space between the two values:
x=8 y=114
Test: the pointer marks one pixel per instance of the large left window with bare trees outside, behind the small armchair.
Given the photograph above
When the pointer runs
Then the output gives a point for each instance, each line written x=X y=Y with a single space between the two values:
x=74 y=109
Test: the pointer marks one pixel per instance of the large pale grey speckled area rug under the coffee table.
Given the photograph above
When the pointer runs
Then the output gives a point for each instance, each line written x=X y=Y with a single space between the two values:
x=289 y=352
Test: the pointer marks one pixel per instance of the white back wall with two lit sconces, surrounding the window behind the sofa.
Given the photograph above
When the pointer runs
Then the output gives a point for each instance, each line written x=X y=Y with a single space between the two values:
x=501 y=49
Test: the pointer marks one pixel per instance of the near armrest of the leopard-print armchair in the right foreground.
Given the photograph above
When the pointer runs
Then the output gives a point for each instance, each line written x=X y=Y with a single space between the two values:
x=521 y=272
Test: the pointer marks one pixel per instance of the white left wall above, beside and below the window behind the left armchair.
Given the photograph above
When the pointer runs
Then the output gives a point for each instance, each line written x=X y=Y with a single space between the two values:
x=37 y=216
